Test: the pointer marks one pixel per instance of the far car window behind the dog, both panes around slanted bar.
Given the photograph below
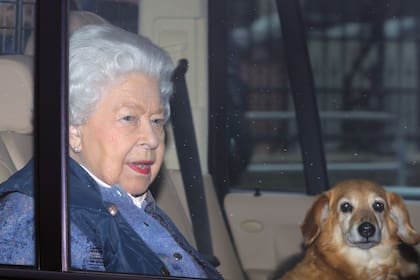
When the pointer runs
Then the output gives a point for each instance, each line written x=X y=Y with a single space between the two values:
x=364 y=60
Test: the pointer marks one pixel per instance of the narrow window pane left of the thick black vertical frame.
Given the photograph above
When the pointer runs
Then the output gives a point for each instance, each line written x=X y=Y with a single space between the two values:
x=17 y=245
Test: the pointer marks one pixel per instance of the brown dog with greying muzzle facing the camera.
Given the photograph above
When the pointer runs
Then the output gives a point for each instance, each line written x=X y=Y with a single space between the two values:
x=353 y=232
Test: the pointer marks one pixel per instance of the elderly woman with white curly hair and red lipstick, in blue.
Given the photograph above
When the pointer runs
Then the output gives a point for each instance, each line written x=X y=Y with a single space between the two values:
x=119 y=103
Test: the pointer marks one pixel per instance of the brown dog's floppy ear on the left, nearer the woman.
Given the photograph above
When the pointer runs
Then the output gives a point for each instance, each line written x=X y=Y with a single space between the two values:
x=314 y=218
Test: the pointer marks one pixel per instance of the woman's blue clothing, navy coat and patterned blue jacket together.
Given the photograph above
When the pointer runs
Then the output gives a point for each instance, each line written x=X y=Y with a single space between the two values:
x=127 y=239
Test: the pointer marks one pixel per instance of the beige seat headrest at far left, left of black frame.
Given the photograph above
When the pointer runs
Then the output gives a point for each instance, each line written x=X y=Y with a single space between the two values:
x=16 y=93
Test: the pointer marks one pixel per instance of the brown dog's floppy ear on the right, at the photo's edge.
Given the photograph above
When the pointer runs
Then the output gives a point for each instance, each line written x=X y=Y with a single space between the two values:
x=399 y=215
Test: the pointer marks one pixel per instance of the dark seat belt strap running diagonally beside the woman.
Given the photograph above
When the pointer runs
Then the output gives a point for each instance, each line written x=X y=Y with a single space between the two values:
x=189 y=161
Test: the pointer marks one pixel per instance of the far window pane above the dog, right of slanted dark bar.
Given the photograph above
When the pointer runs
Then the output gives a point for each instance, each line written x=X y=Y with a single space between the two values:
x=365 y=65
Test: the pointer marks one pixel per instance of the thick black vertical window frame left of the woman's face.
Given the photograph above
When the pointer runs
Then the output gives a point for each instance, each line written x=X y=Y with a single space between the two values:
x=50 y=147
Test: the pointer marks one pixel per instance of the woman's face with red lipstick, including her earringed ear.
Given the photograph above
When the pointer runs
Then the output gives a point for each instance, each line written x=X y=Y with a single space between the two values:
x=122 y=142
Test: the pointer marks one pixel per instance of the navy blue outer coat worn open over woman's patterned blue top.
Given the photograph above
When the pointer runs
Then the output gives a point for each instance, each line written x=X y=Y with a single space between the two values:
x=122 y=249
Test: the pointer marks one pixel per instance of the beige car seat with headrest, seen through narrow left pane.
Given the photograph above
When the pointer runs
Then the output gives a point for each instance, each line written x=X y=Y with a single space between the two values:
x=16 y=112
